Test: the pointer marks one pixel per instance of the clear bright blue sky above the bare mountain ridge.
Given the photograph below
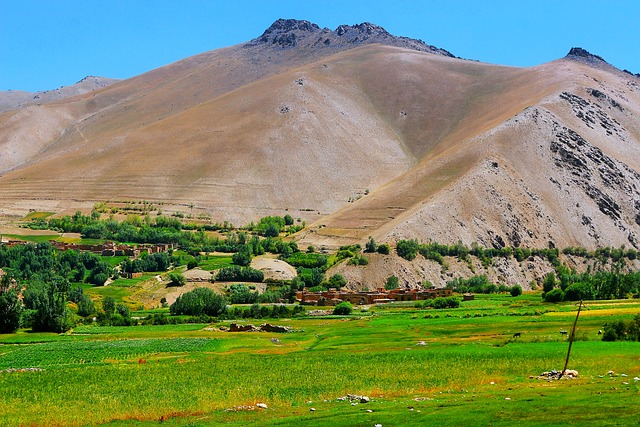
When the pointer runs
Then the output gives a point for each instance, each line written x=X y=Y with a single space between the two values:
x=45 y=44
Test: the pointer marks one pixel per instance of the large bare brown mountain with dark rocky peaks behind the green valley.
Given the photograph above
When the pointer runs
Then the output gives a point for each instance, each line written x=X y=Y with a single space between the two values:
x=358 y=132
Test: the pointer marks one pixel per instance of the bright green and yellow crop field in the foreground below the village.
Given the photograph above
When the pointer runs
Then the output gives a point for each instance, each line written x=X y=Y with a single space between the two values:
x=417 y=366
